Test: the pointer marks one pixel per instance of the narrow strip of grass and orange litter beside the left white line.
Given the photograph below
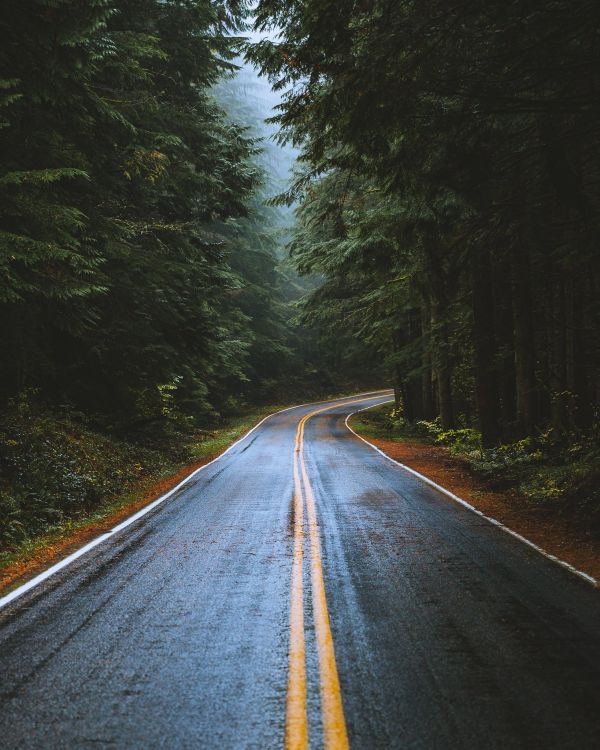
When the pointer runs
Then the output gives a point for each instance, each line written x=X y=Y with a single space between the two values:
x=39 y=549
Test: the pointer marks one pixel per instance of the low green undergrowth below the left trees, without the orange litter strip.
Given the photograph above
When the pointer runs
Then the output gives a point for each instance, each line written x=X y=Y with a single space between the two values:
x=56 y=467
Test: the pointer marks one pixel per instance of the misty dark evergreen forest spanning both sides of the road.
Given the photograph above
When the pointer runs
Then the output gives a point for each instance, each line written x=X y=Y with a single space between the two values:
x=439 y=235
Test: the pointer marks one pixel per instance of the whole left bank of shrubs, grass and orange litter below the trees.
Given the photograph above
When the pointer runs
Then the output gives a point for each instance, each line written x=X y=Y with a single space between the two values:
x=63 y=482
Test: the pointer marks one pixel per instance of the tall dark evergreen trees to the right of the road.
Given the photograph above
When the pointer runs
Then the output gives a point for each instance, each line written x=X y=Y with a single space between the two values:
x=451 y=197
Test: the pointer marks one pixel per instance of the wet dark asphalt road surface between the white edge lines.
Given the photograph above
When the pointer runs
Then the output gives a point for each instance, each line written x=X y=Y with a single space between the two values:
x=174 y=633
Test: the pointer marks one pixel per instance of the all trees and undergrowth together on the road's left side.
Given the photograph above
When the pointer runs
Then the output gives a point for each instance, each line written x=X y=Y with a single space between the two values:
x=145 y=303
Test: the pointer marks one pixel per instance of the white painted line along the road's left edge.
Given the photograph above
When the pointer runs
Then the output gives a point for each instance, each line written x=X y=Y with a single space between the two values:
x=24 y=588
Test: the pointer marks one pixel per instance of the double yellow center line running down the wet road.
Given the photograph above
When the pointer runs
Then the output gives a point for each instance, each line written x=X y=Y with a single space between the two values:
x=335 y=735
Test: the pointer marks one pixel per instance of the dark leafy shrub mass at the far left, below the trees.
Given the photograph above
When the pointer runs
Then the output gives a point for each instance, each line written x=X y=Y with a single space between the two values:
x=53 y=466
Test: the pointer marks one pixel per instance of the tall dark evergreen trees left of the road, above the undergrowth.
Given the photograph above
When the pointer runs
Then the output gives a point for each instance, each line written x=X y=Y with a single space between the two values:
x=128 y=278
